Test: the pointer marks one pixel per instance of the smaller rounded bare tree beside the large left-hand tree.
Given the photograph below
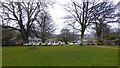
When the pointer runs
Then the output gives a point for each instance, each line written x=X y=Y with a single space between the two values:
x=44 y=27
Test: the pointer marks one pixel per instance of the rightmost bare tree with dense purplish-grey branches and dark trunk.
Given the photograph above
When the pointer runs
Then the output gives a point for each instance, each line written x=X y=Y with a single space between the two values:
x=103 y=13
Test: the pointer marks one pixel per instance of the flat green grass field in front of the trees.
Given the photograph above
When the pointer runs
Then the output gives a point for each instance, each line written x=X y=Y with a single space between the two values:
x=59 y=56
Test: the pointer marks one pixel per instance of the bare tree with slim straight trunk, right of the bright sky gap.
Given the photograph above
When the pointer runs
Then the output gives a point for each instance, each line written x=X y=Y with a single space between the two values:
x=80 y=13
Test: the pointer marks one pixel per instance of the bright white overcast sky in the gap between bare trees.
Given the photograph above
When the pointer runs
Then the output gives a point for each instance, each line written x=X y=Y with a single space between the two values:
x=58 y=12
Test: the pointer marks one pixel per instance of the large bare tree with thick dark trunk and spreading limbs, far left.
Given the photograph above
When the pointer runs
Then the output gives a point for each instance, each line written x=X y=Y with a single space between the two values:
x=21 y=16
